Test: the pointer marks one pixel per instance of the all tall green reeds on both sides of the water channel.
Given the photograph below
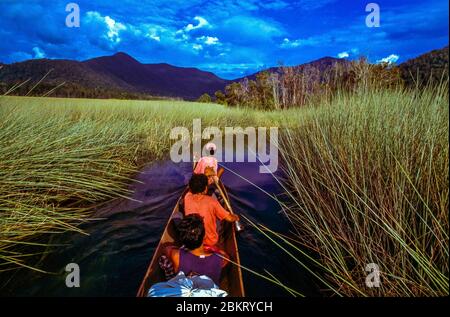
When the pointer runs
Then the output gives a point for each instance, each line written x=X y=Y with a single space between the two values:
x=367 y=168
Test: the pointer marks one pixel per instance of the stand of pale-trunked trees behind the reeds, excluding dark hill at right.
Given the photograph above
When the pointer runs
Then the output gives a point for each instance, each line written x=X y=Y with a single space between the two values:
x=297 y=86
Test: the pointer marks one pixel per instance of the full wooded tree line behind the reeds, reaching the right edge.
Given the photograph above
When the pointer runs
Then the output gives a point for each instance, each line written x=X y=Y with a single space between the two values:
x=296 y=86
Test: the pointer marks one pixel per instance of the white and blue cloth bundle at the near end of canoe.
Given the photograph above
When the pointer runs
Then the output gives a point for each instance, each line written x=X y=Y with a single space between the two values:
x=183 y=286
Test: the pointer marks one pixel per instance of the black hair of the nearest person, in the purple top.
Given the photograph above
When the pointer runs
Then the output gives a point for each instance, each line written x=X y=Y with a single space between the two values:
x=191 y=231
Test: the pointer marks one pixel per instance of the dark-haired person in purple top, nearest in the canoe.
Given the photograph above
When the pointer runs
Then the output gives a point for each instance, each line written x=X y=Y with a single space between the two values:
x=193 y=258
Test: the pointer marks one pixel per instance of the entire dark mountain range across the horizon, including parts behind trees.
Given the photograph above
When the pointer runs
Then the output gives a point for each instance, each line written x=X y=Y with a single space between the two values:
x=123 y=74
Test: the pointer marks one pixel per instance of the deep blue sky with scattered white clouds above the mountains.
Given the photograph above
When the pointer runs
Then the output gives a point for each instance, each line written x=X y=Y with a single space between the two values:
x=231 y=38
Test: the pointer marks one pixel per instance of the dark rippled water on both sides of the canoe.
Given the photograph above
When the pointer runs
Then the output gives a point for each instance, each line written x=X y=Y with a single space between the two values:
x=114 y=256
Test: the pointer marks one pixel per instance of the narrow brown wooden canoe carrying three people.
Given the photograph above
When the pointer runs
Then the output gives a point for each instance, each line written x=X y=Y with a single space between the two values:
x=231 y=279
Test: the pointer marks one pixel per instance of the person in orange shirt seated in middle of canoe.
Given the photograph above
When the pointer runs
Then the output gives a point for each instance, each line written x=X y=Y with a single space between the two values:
x=198 y=202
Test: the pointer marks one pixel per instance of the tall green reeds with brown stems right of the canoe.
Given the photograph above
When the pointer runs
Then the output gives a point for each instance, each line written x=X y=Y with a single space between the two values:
x=368 y=177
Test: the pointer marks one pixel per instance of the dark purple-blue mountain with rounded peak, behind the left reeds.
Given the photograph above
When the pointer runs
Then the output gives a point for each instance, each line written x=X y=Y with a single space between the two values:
x=119 y=72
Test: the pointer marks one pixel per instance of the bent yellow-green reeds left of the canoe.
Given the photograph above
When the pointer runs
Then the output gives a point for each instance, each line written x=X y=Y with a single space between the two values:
x=59 y=157
